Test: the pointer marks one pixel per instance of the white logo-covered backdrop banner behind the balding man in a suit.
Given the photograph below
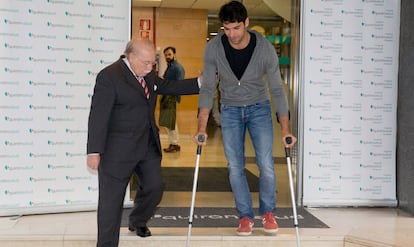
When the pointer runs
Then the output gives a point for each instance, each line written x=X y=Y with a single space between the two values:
x=50 y=53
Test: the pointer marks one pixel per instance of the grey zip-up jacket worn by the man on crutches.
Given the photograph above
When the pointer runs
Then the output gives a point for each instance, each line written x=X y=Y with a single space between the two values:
x=252 y=87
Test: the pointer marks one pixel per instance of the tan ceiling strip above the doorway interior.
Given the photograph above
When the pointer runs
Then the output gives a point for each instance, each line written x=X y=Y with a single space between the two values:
x=254 y=7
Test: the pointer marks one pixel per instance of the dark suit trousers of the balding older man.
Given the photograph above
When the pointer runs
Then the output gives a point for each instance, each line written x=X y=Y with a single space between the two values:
x=112 y=194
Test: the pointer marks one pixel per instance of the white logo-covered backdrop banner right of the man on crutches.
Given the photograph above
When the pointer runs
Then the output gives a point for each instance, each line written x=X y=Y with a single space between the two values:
x=349 y=79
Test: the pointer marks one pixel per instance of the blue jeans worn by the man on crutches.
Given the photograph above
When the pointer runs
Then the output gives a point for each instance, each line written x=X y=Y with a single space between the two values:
x=257 y=119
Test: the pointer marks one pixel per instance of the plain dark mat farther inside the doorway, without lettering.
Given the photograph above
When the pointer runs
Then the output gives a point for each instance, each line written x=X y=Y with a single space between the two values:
x=209 y=179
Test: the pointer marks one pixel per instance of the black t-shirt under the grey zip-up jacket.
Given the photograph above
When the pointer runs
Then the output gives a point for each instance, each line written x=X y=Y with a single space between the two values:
x=239 y=59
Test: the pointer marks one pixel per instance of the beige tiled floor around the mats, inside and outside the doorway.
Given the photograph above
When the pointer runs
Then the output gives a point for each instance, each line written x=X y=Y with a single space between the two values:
x=348 y=227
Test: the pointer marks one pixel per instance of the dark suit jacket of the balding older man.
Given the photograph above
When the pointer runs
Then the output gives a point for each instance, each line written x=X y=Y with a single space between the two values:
x=121 y=117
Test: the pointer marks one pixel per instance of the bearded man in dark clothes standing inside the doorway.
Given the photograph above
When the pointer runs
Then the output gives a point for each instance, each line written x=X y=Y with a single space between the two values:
x=168 y=103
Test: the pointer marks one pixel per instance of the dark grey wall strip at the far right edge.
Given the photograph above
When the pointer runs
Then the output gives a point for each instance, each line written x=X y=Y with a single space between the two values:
x=405 y=118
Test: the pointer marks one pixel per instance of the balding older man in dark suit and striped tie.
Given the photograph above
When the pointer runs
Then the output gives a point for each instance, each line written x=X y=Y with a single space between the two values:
x=123 y=138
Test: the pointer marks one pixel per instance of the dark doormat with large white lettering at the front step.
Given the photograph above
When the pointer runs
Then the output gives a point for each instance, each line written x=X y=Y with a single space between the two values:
x=223 y=217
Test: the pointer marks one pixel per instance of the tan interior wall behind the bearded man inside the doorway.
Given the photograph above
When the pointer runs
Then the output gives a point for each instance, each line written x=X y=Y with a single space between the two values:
x=186 y=30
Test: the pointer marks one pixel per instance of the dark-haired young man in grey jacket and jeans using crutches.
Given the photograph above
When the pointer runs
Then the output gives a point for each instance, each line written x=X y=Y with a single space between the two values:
x=242 y=58
